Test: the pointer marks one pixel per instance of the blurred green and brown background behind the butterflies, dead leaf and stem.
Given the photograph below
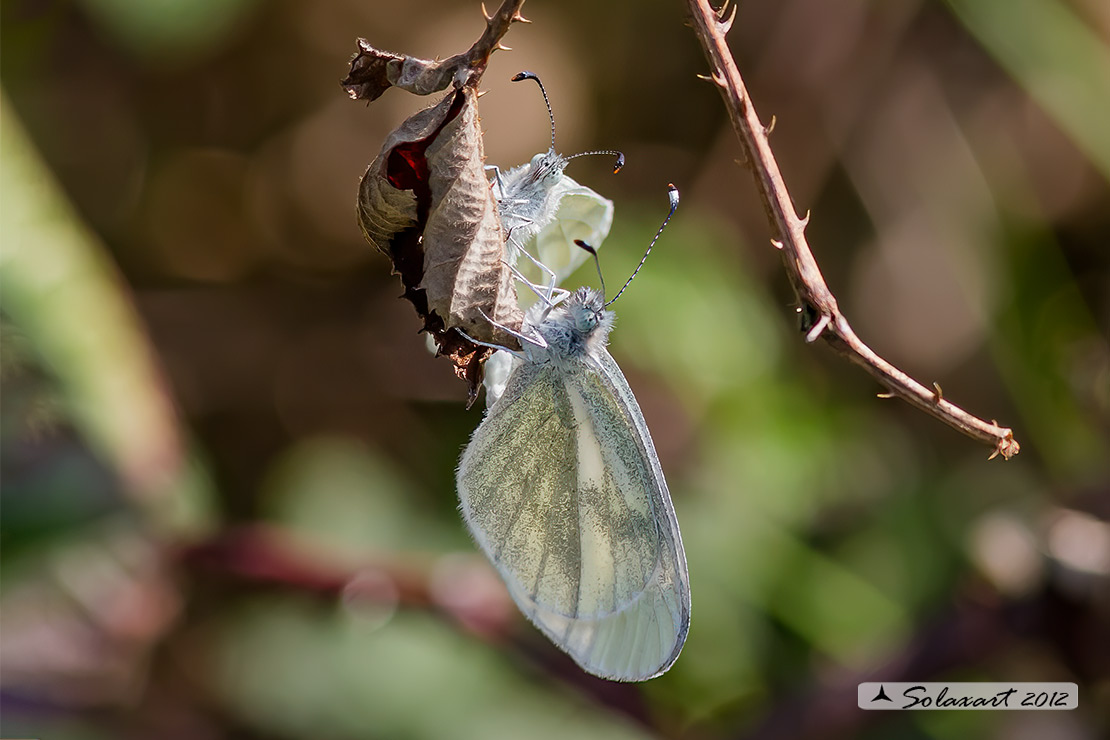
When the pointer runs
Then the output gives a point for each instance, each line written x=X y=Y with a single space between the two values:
x=228 y=498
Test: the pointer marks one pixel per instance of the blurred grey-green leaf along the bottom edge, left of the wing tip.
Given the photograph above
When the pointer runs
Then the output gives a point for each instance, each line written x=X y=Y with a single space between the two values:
x=301 y=673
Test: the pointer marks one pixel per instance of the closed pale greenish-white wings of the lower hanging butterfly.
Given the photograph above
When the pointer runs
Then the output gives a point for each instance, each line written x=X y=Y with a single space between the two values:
x=562 y=490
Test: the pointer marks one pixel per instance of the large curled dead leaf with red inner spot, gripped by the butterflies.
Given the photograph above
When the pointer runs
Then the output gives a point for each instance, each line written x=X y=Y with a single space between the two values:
x=427 y=204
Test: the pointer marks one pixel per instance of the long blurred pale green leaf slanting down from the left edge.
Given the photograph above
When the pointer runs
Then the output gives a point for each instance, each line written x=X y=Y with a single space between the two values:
x=65 y=297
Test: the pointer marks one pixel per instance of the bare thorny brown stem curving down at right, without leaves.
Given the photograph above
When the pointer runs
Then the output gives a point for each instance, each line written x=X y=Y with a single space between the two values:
x=821 y=315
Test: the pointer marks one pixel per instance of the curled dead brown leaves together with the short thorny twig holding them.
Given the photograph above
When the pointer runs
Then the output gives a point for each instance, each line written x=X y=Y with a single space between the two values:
x=426 y=201
